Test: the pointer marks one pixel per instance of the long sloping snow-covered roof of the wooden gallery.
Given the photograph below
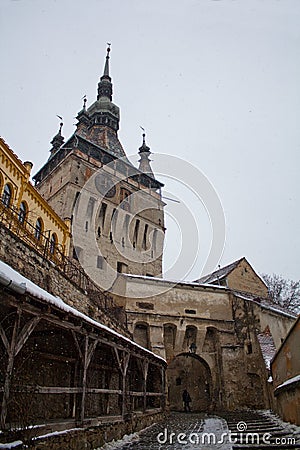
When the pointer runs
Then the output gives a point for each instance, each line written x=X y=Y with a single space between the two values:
x=14 y=280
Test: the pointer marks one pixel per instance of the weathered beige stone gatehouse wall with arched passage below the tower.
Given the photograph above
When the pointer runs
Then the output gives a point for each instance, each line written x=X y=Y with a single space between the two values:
x=226 y=370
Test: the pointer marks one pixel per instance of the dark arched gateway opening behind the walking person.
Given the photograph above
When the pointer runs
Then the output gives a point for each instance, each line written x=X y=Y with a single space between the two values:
x=189 y=371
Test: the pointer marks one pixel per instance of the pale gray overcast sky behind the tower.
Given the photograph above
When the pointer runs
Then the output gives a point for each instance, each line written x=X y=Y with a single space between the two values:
x=215 y=83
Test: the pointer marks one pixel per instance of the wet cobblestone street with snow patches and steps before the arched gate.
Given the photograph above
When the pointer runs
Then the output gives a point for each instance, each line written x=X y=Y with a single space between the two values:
x=189 y=431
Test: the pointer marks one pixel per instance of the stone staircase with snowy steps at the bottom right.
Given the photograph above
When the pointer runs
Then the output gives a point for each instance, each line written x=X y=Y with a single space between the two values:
x=261 y=430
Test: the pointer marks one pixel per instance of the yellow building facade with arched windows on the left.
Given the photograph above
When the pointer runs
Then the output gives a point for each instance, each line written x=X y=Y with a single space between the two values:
x=25 y=212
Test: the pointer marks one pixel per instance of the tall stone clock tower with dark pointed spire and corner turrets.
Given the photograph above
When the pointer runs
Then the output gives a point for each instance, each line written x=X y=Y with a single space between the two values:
x=90 y=180
